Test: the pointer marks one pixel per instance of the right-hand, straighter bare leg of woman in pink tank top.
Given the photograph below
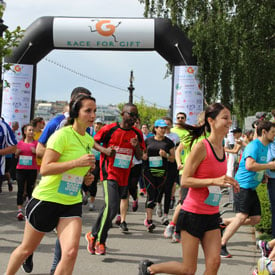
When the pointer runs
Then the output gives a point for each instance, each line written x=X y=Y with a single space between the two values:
x=211 y=244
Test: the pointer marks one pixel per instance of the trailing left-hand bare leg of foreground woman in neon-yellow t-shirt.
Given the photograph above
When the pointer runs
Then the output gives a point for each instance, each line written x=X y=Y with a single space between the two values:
x=31 y=240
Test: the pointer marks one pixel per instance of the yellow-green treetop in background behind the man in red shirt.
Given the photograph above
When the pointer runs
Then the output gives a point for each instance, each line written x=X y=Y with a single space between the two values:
x=147 y=114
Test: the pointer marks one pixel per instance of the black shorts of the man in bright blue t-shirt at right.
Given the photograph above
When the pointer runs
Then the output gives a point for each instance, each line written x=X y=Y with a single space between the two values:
x=247 y=202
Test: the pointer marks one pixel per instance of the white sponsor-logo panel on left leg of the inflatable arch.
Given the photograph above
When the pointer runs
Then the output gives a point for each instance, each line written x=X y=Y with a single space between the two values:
x=17 y=93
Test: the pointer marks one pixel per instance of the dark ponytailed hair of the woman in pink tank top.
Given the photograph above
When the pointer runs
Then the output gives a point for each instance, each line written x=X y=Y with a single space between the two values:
x=211 y=111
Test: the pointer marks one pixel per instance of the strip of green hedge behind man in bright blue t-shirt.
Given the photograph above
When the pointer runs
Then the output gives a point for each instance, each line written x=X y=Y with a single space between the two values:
x=265 y=225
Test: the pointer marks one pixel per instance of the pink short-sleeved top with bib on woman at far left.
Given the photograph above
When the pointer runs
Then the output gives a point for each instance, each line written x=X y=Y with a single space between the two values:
x=26 y=158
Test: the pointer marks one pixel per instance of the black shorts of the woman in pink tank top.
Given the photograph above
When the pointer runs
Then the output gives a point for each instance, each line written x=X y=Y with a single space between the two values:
x=197 y=224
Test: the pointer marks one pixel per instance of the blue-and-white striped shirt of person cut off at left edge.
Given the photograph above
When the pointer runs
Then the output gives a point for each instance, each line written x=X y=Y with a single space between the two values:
x=7 y=138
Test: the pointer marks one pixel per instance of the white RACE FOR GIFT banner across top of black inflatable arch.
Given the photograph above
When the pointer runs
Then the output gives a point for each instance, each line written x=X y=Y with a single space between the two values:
x=99 y=33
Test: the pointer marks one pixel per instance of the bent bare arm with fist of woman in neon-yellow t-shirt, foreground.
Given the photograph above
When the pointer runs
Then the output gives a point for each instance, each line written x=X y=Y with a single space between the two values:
x=51 y=166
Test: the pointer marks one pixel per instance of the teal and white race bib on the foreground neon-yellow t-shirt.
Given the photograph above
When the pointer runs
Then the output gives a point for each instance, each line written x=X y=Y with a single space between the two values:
x=70 y=185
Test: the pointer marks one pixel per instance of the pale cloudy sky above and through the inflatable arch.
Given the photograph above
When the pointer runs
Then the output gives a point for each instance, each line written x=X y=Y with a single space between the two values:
x=113 y=67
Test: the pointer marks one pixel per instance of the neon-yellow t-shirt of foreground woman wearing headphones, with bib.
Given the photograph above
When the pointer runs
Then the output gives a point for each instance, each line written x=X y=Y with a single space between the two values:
x=65 y=188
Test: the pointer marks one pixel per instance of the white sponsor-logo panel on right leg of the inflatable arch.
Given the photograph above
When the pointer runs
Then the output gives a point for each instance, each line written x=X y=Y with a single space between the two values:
x=187 y=93
